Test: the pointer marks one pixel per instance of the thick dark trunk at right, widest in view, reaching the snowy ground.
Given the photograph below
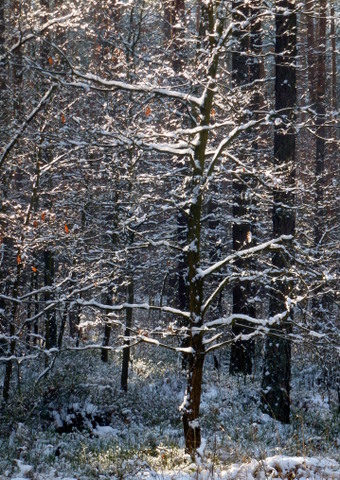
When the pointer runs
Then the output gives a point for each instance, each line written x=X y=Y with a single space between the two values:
x=277 y=360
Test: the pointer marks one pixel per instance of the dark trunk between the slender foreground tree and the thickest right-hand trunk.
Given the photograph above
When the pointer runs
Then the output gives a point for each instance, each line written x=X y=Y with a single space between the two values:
x=245 y=69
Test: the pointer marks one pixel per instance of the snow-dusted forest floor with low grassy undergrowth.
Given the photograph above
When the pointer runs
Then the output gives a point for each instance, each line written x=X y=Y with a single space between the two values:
x=76 y=424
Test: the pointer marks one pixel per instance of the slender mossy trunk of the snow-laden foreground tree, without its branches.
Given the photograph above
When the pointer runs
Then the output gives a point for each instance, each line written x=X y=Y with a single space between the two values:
x=191 y=404
